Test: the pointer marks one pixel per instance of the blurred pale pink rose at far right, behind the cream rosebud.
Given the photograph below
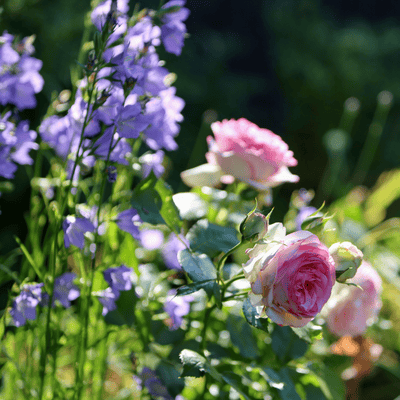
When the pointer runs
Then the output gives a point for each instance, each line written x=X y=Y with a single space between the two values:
x=350 y=309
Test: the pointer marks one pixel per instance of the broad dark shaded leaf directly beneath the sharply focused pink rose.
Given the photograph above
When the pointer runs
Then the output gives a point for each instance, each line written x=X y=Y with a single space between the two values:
x=286 y=344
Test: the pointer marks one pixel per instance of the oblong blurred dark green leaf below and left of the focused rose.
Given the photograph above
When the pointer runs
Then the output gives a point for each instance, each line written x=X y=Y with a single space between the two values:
x=242 y=336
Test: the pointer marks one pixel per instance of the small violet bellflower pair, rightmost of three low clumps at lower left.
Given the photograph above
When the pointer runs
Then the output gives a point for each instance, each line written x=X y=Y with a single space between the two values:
x=119 y=279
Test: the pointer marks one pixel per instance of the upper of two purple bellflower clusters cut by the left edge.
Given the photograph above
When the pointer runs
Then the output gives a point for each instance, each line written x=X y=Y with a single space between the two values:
x=19 y=72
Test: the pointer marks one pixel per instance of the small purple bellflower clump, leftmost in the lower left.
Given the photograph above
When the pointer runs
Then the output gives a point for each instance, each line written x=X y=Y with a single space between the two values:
x=24 y=305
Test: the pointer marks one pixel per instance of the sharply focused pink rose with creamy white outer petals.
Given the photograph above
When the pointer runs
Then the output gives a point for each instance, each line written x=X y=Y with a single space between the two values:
x=291 y=276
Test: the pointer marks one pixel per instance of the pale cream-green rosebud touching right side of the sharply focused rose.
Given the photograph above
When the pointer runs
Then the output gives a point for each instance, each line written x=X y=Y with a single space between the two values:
x=347 y=258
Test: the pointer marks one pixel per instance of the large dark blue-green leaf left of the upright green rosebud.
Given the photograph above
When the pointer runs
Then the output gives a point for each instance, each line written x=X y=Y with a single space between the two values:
x=211 y=239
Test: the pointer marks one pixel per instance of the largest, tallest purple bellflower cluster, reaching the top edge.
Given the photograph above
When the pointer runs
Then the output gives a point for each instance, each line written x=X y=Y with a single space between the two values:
x=126 y=92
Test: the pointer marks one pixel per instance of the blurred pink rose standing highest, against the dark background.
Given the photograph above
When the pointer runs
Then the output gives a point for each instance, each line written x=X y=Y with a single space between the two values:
x=246 y=152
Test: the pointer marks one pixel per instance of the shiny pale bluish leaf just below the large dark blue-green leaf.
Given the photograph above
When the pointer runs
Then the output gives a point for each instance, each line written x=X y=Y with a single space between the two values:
x=199 y=267
